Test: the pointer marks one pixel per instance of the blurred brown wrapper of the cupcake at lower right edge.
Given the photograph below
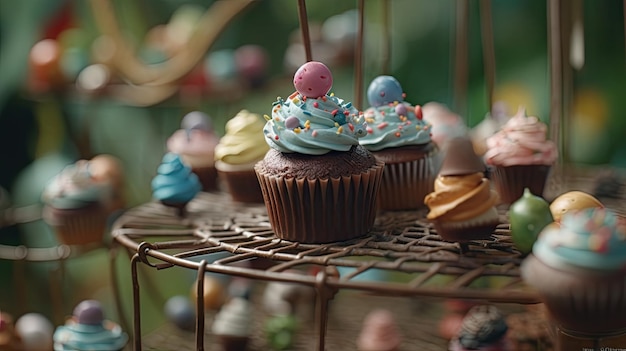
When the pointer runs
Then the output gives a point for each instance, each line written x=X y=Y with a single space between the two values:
x=581 y=300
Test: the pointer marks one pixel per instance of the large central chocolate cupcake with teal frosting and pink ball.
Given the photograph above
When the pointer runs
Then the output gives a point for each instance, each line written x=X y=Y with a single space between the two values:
x=319 y=185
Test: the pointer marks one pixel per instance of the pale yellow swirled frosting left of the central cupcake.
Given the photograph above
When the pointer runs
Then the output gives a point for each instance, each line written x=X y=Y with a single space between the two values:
x=243 y=142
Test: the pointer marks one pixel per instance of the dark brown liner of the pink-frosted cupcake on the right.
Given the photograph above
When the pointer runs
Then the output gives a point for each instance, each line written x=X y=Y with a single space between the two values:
x=510 y=181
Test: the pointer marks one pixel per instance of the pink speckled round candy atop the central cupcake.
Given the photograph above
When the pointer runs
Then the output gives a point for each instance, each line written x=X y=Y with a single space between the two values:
x=313 y=79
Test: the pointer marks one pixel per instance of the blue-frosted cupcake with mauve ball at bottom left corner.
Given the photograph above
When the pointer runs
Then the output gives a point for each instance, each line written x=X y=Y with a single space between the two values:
x=88 y=330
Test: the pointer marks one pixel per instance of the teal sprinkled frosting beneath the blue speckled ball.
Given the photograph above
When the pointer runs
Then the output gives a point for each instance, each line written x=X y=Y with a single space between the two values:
x=387 y=129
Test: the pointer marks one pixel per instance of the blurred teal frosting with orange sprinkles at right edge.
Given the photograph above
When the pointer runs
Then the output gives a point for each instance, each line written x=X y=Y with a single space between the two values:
x=593 y=238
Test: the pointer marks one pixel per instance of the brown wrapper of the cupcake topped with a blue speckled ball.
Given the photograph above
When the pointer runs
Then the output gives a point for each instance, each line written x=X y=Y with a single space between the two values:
x=404 y=185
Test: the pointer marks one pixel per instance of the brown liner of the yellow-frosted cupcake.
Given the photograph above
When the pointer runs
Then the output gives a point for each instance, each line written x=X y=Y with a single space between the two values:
x=243 y=186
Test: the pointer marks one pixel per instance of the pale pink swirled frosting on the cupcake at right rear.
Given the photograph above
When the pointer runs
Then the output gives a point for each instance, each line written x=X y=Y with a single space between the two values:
x=521 y=141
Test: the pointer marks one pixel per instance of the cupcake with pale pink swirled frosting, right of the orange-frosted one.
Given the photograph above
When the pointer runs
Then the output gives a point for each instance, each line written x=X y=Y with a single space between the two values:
x=520 y=157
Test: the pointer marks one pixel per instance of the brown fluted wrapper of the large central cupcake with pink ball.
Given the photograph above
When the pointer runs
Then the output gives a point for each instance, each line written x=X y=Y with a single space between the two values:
x=322 y=210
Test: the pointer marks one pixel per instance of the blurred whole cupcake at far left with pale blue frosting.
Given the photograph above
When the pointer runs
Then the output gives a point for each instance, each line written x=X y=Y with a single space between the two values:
x=79 y=200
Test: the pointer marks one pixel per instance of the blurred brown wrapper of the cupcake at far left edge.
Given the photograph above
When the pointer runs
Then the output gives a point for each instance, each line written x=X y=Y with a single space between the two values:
x=80 y=226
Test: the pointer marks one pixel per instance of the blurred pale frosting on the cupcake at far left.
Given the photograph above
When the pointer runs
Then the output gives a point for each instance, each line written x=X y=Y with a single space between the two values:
x=74 y=187
